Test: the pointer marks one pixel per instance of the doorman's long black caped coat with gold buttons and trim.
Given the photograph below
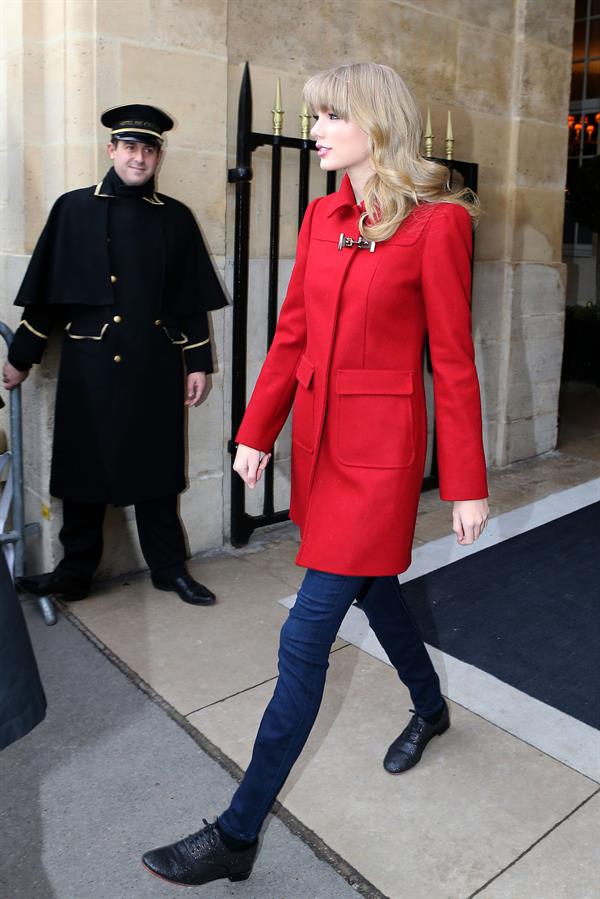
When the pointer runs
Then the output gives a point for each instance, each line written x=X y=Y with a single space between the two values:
x=130 y=280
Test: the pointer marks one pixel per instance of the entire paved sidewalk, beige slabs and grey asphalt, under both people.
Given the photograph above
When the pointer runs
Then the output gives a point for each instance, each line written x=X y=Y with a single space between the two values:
x=112 y=773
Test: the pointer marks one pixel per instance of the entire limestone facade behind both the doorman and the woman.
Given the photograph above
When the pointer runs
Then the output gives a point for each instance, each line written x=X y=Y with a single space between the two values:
x=501 y=66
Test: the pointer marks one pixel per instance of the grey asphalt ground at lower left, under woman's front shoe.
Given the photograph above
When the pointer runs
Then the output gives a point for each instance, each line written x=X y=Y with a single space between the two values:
x=108 y=775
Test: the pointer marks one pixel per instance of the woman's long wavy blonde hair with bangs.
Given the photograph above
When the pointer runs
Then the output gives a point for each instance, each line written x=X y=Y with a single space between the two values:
x=376 y=99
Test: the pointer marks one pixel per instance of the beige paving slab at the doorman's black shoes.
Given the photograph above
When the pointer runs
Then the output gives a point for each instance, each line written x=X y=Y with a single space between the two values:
x=191 y=655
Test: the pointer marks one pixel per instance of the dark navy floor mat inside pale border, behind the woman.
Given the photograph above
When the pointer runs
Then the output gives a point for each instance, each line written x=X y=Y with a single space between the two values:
x=526 y=611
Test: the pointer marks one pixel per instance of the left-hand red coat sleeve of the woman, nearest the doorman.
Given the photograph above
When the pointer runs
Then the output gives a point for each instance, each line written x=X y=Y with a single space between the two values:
x=275 y=388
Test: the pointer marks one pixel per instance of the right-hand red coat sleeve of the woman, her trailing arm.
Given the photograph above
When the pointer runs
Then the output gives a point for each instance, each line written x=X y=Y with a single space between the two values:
x=446 y=282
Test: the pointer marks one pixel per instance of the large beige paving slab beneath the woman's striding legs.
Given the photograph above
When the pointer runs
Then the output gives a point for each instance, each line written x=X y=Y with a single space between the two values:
x=479 y=798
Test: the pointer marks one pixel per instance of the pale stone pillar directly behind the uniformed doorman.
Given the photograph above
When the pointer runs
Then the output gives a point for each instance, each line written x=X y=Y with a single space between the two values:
x=62 y=64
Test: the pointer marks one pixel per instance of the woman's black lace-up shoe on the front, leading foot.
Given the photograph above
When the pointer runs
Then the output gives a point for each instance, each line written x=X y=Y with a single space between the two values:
x=200 y=858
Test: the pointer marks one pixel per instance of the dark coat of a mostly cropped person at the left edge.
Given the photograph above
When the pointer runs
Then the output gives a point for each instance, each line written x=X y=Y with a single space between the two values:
x=22 y=700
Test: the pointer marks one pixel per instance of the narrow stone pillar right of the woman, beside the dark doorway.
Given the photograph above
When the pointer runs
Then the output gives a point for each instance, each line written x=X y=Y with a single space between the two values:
x=534 y=295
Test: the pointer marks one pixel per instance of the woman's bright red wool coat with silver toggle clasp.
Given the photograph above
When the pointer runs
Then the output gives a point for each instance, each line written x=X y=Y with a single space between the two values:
x=348 y=354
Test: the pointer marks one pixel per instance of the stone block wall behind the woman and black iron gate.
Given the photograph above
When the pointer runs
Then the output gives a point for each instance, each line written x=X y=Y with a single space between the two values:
x=503 y=69
